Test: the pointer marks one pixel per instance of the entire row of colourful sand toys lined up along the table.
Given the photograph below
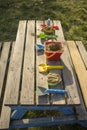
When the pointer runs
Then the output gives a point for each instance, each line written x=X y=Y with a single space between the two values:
x=53 y=50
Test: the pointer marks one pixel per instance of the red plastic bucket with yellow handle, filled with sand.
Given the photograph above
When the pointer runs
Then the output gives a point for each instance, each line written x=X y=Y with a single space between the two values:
x=53 y=55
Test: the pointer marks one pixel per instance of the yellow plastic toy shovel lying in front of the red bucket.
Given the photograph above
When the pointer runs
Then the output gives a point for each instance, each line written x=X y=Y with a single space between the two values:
x=44 y=68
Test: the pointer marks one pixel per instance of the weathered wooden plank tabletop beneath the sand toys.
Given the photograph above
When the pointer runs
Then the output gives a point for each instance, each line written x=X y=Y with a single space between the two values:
x=24 y=78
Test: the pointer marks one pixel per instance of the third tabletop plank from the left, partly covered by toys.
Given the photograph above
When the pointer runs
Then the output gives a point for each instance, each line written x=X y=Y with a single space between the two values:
x=41 y=79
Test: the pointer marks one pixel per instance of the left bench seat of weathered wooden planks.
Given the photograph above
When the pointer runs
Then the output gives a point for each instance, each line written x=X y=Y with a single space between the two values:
x=5 y=57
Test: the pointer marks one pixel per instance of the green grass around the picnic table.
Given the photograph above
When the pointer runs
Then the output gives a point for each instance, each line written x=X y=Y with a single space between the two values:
x=71 y=13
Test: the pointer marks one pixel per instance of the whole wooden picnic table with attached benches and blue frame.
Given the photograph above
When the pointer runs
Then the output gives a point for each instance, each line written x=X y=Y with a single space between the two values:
x=24 y=79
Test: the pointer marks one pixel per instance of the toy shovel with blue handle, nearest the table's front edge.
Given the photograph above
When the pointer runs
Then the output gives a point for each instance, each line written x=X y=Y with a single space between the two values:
x=43 y=91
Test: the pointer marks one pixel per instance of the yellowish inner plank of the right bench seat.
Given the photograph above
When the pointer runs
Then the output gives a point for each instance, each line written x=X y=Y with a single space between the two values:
x=79 y=68
